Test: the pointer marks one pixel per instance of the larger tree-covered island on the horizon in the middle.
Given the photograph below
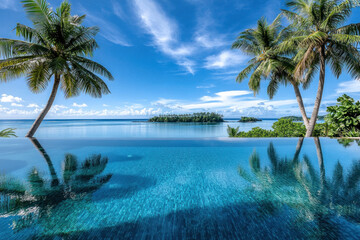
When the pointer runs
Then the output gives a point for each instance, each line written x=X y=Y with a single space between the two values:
x=204 y=117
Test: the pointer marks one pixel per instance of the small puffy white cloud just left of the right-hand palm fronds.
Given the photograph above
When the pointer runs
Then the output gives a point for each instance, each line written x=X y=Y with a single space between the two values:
x=225 y=59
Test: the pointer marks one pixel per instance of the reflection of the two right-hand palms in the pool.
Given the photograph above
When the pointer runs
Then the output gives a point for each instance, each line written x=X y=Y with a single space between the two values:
x=297 y=184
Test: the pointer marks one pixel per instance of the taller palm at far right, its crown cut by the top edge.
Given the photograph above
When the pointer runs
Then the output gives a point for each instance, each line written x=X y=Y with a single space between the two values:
x=322 y=39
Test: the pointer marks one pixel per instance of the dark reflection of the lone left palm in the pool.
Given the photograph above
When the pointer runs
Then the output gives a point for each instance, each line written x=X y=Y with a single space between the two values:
x=39 y=197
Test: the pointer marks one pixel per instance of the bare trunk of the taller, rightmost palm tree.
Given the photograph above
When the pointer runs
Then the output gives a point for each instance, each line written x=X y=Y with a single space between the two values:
x=315 y=113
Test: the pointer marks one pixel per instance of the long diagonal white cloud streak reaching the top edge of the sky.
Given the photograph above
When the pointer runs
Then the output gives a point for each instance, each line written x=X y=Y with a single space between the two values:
x=164 y=32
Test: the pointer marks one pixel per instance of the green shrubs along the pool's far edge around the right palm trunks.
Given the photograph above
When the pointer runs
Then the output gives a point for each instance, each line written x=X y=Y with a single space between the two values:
x=343 y=120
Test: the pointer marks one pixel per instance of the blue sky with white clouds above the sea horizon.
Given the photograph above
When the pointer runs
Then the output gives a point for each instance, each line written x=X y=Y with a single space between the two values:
x=167 y=57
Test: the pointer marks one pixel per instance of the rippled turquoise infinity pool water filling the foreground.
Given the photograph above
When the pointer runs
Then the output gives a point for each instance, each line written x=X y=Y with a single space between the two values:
x=179 y=189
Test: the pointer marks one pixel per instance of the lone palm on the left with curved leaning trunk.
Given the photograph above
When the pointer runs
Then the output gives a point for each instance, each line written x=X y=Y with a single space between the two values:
x=57 y=46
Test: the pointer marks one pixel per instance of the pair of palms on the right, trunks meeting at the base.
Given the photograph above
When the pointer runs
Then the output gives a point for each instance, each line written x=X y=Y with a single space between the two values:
x=315 y=37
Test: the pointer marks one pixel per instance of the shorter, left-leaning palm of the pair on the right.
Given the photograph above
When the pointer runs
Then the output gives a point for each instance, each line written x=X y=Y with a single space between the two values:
x=261 y=43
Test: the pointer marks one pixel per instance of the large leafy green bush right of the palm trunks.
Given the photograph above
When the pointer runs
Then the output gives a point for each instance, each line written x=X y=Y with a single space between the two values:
x=343 y=119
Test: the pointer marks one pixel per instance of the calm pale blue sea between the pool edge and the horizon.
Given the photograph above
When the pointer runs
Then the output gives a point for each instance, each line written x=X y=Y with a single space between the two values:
x=127 y=128
